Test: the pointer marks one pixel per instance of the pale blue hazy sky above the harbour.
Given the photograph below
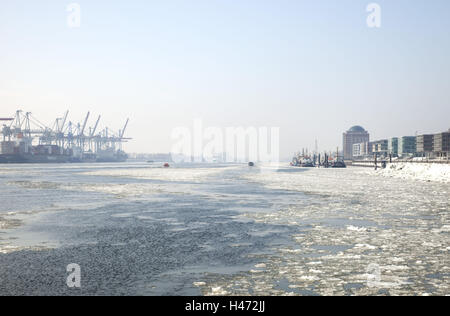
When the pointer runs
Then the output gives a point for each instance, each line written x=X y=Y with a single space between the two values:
x=312 y=68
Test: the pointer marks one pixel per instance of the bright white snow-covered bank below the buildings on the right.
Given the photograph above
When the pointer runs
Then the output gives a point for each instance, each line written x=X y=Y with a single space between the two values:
x=418 y=171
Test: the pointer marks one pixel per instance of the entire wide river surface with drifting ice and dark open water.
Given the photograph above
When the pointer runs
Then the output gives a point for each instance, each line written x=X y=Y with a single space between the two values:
x=139 y=229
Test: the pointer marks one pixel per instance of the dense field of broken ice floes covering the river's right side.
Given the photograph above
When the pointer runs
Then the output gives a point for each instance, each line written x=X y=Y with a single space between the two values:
x=358 y=234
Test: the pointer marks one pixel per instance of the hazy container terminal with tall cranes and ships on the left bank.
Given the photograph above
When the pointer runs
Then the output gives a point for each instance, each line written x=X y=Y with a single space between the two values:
x=26 y=140
